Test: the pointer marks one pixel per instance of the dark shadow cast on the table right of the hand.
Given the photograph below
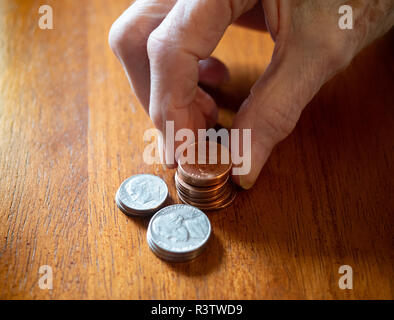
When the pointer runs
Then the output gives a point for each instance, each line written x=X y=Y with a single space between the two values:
x=325 y=189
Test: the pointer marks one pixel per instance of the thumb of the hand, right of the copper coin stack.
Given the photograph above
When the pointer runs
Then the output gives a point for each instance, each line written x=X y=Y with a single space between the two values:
x=275 y=103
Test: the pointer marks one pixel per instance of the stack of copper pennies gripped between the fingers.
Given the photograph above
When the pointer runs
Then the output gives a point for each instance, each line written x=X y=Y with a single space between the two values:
x=202 y=178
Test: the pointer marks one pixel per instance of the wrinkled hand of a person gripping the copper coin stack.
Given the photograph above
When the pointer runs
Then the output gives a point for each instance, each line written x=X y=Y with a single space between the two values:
x=165 y=47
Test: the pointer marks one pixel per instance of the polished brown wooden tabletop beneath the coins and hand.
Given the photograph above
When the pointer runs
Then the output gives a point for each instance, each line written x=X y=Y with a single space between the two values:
x=71 y=132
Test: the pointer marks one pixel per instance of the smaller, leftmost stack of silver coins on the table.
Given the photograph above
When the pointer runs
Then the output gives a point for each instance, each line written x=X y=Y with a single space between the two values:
x=141 y=194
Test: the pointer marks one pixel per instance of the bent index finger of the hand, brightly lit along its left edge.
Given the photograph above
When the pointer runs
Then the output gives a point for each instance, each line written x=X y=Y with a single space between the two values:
x=189 y=33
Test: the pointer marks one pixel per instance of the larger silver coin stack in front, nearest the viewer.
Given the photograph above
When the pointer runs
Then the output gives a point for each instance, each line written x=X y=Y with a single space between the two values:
x=178 y=232
